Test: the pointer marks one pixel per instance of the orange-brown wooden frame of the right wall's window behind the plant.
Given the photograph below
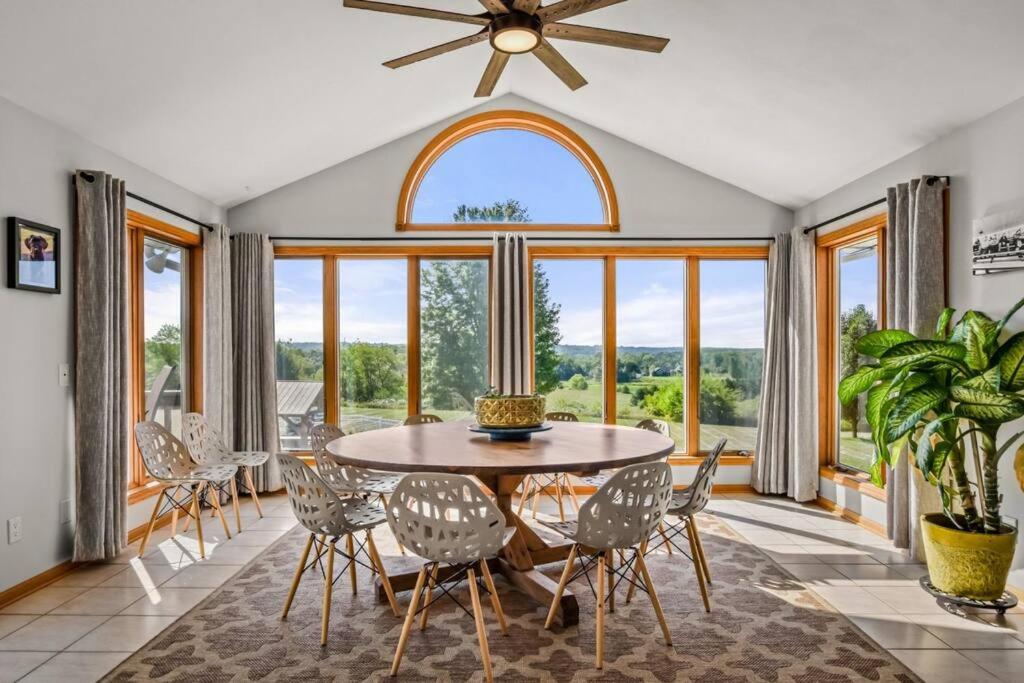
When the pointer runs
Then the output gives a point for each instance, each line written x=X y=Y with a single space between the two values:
x=827 y=286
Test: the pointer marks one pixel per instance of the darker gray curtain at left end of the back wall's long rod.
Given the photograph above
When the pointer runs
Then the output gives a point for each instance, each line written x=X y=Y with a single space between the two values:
x=255 y=393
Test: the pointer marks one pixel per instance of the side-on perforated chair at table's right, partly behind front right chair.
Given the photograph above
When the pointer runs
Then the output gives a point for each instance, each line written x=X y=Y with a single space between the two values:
x=685 y=506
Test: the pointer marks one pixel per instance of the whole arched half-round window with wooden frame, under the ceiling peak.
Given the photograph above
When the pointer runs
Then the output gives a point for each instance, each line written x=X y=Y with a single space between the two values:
x=507 y=167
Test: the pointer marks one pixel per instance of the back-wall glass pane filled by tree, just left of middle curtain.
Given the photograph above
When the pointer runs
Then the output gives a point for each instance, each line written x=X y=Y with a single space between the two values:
x=454 y=344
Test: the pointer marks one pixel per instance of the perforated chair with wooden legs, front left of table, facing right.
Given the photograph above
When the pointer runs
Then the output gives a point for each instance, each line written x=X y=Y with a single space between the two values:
x=328 y=518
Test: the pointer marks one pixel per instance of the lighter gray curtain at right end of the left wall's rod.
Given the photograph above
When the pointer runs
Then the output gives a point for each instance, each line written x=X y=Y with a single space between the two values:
x=218 y=340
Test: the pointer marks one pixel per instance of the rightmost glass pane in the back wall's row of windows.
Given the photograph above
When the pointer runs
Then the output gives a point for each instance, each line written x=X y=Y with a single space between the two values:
x=733 y=334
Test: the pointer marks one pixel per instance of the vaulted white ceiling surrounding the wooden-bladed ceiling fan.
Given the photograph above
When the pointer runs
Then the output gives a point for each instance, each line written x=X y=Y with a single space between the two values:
x=787 y=99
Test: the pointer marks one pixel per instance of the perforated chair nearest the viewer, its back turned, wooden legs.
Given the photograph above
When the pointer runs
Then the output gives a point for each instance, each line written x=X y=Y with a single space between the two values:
x=449 y=522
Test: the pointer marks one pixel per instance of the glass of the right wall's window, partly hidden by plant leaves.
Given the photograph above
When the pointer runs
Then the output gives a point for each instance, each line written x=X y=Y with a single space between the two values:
x=858 y=276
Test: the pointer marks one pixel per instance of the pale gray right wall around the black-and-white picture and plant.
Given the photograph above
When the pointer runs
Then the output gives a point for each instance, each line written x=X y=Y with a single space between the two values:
x=987 y=162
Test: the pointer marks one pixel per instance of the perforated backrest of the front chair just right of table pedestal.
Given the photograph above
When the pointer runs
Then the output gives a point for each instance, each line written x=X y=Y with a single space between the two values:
x=628 y=508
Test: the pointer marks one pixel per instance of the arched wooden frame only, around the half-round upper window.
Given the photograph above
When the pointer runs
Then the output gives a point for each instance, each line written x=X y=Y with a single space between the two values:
x=508 y=120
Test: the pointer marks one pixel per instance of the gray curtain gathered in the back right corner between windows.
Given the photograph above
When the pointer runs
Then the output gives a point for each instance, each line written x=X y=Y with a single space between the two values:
x=786 y=459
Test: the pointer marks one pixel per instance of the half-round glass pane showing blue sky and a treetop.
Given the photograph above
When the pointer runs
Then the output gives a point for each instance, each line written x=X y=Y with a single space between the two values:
x=508 y=176
